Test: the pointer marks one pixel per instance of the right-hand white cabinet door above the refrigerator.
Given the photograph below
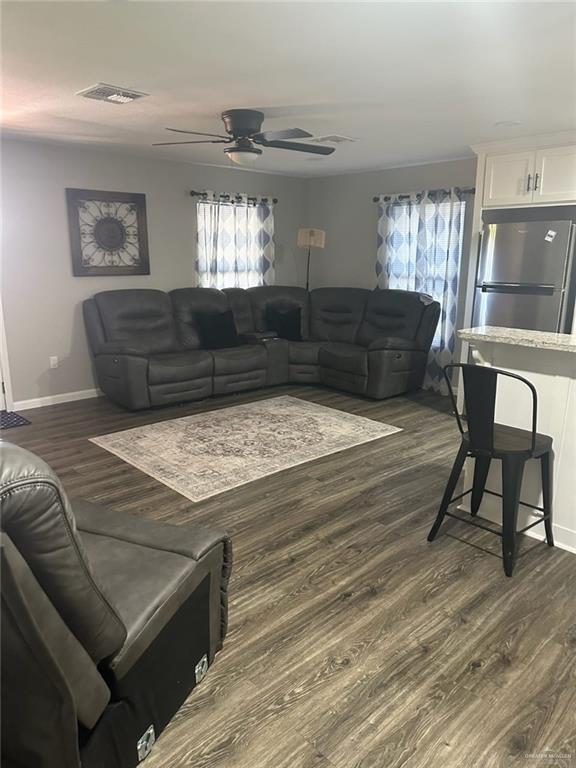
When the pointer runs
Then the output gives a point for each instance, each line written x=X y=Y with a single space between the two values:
x=555 y=175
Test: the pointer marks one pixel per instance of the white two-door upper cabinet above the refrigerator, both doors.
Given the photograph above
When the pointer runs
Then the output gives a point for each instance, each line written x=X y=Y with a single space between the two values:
x=531 y=177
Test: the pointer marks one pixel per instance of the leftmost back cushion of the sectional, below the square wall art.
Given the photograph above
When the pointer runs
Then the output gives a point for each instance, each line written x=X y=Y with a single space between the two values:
x=142 y=318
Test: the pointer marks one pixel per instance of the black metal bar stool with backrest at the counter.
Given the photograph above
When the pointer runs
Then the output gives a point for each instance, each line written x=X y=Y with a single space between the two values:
x=485 y=440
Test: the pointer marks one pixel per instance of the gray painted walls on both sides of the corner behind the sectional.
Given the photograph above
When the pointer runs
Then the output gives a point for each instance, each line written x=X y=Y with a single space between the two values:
x=42 y=300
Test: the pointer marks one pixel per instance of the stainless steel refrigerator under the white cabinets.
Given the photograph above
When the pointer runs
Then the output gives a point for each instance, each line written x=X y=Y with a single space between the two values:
x=524 y=276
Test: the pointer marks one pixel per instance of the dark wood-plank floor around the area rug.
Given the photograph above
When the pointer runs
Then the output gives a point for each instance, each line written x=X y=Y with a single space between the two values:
x=353 y=642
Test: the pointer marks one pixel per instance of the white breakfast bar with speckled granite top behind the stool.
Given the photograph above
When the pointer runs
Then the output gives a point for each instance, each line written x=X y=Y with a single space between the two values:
x=548 y=361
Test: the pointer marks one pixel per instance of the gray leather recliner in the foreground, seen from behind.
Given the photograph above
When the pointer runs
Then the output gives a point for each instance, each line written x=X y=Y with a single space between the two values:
x=108 y=622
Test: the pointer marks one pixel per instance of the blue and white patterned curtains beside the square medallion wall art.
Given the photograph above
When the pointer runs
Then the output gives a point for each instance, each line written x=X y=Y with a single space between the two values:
x=235 y=241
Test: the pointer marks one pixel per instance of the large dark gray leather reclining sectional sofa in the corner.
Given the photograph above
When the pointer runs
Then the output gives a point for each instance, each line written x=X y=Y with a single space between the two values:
x=148 y=350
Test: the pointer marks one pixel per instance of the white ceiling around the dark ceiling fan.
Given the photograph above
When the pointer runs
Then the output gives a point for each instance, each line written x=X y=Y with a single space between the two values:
x=412 y=82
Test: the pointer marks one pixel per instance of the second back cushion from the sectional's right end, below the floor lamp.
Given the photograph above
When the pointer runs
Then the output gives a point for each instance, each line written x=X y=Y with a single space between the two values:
x=336 y=313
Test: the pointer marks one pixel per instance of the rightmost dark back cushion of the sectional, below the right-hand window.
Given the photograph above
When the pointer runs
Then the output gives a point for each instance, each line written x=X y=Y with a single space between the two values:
x=392 y=313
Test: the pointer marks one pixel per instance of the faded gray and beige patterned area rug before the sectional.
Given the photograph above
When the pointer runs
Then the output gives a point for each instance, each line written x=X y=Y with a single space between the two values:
x=209 y=453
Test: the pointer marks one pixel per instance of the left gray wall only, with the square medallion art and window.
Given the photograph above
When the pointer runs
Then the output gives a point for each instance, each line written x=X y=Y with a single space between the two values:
x=41 y=298
